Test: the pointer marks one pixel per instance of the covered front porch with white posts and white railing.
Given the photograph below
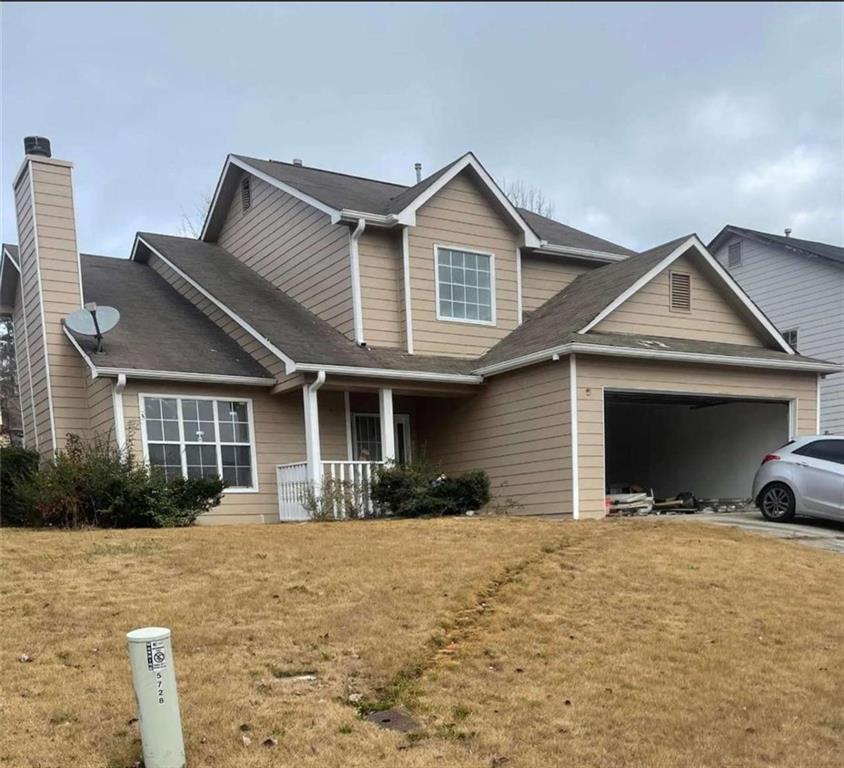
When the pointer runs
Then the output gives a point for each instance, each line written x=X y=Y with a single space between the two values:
x=382 y=423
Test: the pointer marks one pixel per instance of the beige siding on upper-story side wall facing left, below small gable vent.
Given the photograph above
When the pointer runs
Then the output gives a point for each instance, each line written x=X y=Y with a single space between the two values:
x=296 y=248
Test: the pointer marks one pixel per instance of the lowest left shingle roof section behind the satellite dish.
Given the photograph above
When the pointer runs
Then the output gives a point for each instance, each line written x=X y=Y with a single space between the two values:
x=158 y=329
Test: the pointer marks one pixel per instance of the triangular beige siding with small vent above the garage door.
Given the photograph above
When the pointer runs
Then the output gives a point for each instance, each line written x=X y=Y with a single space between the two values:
x=712 y=317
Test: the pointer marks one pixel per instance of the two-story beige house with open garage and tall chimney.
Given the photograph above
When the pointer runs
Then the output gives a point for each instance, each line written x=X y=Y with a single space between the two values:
x=323 y=322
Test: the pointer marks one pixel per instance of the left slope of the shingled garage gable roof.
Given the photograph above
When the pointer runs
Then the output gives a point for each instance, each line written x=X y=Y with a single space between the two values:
x=572 y=308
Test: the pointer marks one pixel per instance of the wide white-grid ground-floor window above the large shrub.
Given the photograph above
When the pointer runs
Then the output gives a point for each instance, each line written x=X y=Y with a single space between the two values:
x=200 y=437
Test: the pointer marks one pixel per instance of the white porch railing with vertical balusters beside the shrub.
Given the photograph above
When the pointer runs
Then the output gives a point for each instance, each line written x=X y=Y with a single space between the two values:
x=349 y=483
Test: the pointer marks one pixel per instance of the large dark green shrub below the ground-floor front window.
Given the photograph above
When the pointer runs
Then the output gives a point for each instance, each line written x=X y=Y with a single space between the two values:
x=95 y=483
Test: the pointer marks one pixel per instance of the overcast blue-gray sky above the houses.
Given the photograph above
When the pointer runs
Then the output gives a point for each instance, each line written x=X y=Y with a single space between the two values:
x=640 y=122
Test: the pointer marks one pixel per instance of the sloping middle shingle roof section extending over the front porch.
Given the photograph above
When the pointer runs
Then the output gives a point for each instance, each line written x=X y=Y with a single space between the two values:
x=297 y=332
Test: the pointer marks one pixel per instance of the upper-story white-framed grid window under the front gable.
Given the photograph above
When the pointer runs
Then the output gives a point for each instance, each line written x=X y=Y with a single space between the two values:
x=465 y=285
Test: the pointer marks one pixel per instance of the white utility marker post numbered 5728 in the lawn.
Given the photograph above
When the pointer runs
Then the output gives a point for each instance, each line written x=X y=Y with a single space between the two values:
x=154 y=679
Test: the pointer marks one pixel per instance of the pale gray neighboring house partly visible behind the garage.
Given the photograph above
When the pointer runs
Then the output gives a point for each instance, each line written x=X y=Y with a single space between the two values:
x=799 y=284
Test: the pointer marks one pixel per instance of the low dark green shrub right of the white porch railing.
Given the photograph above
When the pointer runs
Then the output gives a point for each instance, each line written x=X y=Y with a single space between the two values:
x=417 y=488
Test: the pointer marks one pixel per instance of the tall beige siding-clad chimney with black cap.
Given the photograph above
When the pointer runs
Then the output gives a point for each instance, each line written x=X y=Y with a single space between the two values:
x=51 y=288
